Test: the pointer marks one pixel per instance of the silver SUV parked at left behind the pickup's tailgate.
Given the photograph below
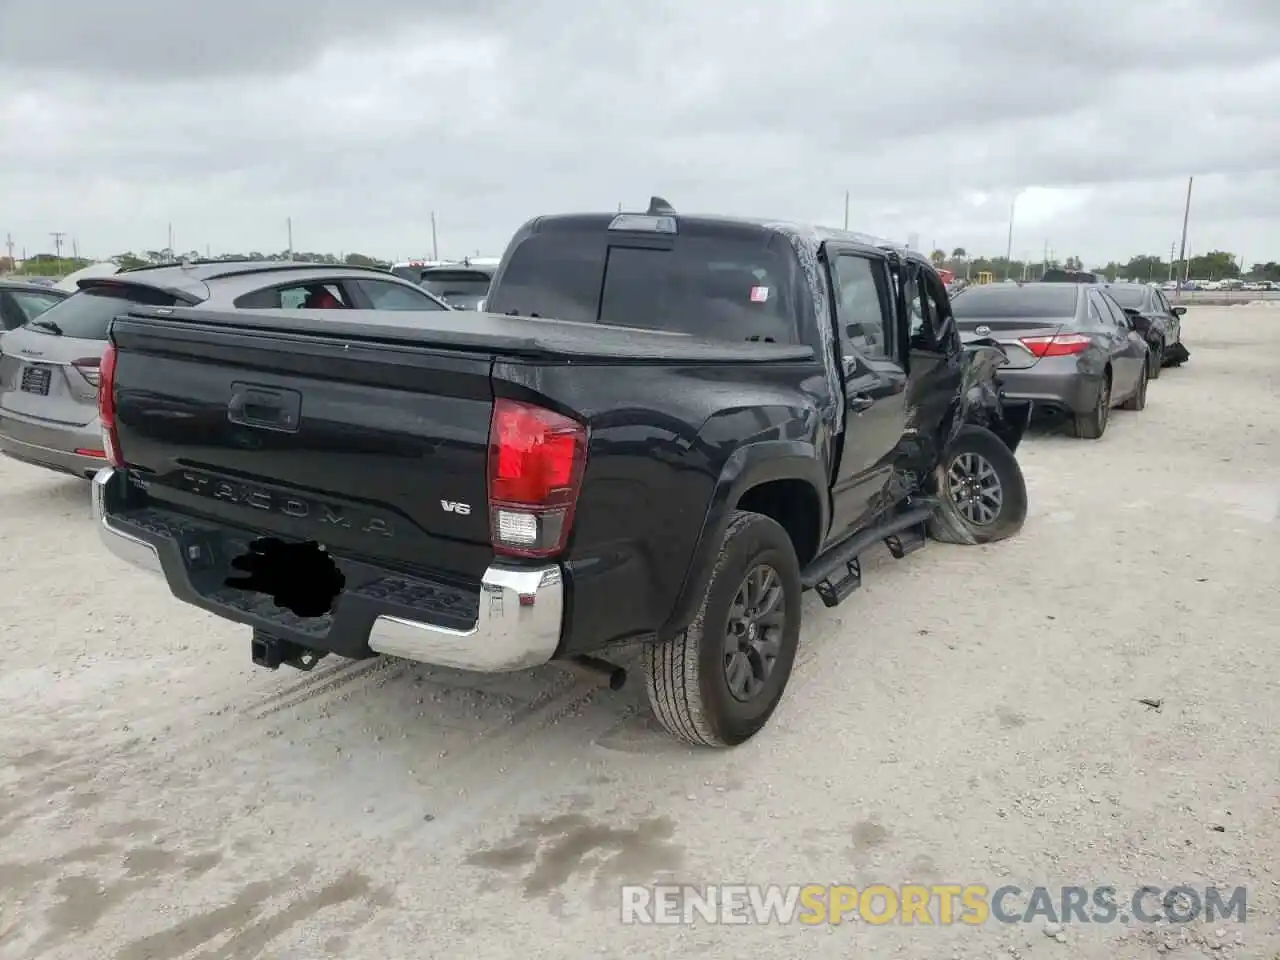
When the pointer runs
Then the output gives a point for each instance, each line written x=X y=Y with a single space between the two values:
x=51 y=368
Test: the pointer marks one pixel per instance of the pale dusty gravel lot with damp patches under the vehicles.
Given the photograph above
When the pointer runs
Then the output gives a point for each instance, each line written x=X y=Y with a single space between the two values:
x=970 y=717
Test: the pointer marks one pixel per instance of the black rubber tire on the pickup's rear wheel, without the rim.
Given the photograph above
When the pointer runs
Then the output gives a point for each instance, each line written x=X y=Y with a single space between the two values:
x=687 y=675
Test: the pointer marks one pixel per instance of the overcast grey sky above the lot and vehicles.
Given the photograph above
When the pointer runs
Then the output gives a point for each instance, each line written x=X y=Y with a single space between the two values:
x=359 y=120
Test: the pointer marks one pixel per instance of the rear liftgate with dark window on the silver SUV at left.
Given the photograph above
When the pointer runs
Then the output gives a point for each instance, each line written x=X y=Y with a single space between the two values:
x=49 y=367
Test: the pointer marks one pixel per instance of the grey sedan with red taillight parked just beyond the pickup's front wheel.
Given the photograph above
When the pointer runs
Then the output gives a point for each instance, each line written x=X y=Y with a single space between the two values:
x=1072 y=349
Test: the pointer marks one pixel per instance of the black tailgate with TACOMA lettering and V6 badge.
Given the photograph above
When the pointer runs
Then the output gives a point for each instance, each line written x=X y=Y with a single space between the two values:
x=373 y=450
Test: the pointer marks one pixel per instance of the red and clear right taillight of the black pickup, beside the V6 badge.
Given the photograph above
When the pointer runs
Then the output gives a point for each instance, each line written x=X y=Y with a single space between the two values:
x=536 y=472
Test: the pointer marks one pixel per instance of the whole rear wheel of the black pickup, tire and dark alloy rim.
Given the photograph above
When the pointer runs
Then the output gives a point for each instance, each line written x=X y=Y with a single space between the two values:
x=719 y=682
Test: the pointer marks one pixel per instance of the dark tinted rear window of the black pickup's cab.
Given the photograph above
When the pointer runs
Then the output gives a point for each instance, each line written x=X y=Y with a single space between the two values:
x=730 y=289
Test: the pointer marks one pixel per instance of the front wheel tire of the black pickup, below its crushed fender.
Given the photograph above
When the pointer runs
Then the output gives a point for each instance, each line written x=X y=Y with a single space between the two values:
x=964 y=523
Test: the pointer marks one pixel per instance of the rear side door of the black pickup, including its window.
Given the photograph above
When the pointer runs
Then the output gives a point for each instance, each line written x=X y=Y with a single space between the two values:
x=875 y=383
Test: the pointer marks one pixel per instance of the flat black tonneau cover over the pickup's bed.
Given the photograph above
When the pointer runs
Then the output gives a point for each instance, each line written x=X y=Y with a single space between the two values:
x=490 y=333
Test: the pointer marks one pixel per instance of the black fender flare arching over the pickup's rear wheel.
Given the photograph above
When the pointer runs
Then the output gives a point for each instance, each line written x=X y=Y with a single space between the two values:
x=748 y=467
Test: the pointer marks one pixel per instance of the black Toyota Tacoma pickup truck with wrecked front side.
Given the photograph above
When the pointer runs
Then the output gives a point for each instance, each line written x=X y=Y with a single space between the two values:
x=664 y=431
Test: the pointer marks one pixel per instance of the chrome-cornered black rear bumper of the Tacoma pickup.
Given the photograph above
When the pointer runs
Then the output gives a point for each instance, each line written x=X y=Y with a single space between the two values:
x=511 y=621
